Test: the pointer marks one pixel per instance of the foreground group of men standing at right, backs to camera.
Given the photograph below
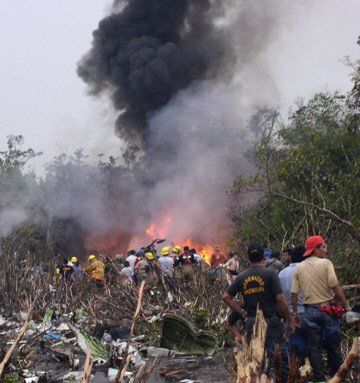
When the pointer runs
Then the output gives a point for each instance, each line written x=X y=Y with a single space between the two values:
x=305 y=297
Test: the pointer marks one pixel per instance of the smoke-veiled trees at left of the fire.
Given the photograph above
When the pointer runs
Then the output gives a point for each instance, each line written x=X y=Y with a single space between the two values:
x=72 y=200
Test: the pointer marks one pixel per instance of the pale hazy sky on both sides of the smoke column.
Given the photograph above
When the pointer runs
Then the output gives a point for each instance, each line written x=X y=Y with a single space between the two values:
x=42 y=98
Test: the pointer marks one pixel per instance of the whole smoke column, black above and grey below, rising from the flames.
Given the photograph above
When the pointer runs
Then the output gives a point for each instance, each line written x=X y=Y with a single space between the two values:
x=184 y=76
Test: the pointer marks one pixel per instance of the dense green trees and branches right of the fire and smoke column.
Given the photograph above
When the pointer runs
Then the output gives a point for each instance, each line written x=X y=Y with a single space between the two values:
x=308 y=178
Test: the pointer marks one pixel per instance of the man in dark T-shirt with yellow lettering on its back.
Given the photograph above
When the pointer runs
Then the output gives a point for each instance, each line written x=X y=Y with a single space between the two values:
x=260 y=286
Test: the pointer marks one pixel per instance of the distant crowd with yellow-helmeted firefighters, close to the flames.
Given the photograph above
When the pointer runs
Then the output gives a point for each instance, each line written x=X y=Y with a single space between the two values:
x=176 y=263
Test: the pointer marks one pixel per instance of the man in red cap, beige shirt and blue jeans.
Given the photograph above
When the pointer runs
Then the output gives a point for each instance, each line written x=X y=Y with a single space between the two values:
x=316 y=279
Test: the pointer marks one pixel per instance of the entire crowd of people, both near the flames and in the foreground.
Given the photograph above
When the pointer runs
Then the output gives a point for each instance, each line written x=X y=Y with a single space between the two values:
x=297 y=291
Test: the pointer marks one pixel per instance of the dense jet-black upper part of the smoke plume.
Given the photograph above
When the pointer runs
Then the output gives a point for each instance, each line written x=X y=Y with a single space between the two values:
x=147 y=50
